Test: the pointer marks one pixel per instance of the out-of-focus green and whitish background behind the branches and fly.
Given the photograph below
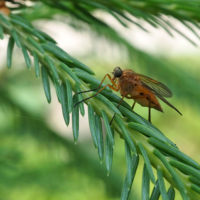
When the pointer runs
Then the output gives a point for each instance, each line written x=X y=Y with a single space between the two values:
x=38 y=158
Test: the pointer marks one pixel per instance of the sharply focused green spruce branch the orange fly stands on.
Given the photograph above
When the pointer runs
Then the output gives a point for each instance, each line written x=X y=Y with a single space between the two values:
x=140 y=136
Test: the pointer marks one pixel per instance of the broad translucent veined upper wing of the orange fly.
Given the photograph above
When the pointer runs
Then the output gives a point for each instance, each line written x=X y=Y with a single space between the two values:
x=154 y=86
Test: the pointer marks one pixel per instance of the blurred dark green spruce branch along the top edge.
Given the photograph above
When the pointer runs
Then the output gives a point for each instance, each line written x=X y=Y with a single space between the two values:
x=153 y=12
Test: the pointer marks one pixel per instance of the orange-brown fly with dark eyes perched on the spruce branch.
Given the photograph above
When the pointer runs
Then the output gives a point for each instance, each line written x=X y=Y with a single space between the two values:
x=140 y=88
